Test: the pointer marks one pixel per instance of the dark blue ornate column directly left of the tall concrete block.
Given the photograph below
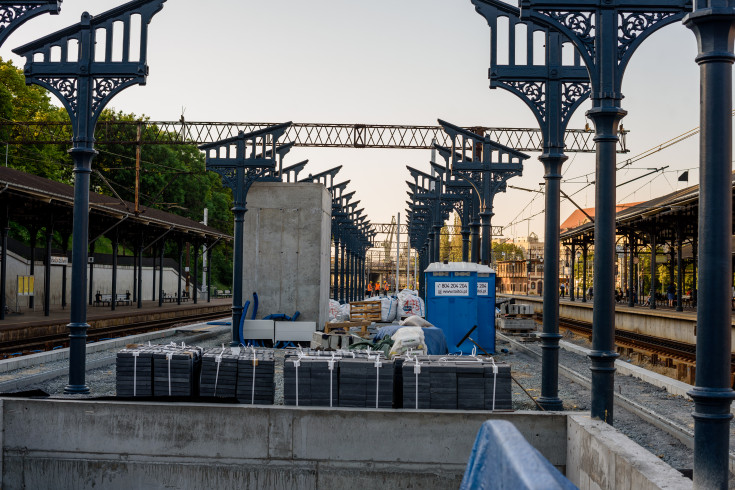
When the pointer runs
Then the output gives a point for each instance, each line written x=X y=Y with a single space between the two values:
x=240 y=161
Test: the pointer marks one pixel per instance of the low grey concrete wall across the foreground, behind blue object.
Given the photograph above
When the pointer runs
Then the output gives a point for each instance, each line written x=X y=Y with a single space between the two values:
x=76 y=444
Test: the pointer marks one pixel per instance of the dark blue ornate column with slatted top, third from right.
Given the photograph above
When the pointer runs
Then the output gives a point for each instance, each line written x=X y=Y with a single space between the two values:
x=553 y=91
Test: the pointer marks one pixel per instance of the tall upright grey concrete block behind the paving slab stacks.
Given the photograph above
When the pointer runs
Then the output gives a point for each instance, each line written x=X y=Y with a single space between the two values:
x=286 y=248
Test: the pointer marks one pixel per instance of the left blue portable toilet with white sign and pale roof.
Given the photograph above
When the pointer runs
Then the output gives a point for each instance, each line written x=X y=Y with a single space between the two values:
x=451 y=301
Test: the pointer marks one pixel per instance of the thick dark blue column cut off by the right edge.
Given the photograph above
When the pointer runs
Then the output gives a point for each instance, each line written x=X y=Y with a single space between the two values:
x=713 y=23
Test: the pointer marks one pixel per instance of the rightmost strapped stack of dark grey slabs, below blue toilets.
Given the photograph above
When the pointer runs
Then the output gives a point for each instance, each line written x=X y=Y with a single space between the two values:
x=451 y=383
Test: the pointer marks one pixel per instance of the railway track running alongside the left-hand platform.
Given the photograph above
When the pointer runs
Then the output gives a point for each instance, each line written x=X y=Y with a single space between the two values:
x=51 y=342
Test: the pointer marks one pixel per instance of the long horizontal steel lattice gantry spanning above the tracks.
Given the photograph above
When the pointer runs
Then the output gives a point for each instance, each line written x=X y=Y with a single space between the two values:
x=301 y=134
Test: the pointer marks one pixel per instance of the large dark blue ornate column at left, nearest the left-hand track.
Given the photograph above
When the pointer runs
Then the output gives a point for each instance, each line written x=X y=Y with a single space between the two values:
x=85 y=80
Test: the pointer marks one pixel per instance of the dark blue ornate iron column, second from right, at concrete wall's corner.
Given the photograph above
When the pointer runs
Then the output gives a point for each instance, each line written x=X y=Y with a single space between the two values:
x=605 y=33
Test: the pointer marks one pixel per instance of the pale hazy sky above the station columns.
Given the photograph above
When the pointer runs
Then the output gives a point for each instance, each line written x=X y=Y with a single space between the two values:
x=387 y=62
